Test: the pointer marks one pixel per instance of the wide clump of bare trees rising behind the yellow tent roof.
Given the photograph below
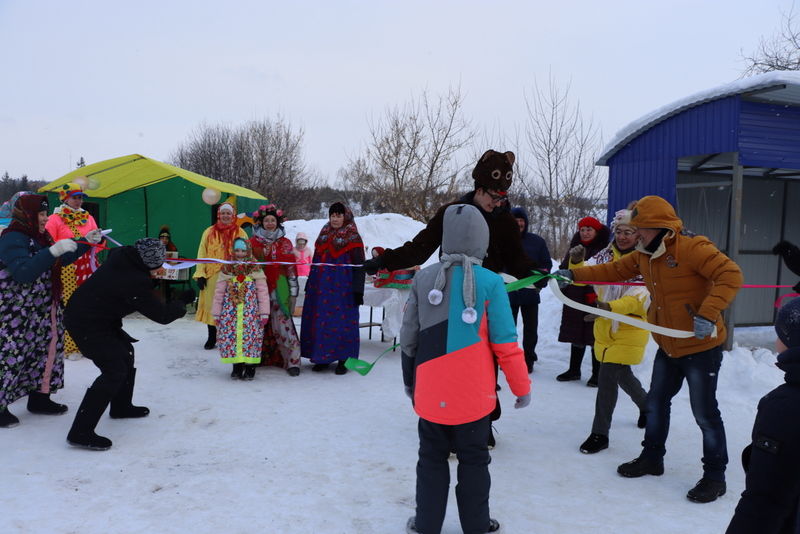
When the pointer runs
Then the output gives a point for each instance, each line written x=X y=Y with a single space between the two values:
x=265 y=156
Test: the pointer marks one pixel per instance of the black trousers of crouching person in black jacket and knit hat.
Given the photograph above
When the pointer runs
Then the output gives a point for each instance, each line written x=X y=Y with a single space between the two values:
x=111 y=353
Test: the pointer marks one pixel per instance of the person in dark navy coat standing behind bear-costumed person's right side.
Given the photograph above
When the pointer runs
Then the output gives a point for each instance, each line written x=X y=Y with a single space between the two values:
x=527 y=299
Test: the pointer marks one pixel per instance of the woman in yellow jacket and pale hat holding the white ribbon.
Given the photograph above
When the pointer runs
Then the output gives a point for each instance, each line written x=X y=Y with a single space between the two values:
x=618 y=346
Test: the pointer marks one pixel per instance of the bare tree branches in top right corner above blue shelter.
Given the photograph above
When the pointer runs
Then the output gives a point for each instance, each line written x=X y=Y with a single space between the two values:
x=779 y=52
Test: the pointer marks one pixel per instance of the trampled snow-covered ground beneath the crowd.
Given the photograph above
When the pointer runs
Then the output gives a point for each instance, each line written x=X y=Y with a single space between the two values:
x=336 y=454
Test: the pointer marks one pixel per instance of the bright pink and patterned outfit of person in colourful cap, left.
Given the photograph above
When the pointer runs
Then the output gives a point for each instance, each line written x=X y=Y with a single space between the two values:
x=70 y=223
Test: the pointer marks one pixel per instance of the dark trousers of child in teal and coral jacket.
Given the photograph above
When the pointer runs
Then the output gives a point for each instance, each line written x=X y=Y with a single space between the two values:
x=433 y=475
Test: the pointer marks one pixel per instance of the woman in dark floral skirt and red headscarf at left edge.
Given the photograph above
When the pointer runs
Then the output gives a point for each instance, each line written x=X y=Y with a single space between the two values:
x=31 y=328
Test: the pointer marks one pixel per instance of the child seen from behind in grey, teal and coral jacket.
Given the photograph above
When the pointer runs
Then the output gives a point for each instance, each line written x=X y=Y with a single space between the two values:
x=451 y=386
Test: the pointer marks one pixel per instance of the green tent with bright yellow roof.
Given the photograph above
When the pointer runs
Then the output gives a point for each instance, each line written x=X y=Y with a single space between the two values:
x=135 y=195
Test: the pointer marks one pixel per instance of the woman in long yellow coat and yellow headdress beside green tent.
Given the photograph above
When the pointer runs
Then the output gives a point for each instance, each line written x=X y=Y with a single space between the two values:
x=216 y=242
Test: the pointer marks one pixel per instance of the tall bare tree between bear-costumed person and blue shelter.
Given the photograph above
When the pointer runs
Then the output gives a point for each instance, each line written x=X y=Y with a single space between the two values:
x=558 y=182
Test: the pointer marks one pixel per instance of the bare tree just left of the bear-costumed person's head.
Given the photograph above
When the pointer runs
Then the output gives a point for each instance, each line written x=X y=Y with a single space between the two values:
x=410 y=165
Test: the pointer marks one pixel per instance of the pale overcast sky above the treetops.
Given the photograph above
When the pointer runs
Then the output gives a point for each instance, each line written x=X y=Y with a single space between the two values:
x=101 y=79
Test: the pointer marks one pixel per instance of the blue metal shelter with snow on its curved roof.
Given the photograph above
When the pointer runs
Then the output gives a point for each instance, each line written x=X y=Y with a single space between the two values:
x=728 y=159
